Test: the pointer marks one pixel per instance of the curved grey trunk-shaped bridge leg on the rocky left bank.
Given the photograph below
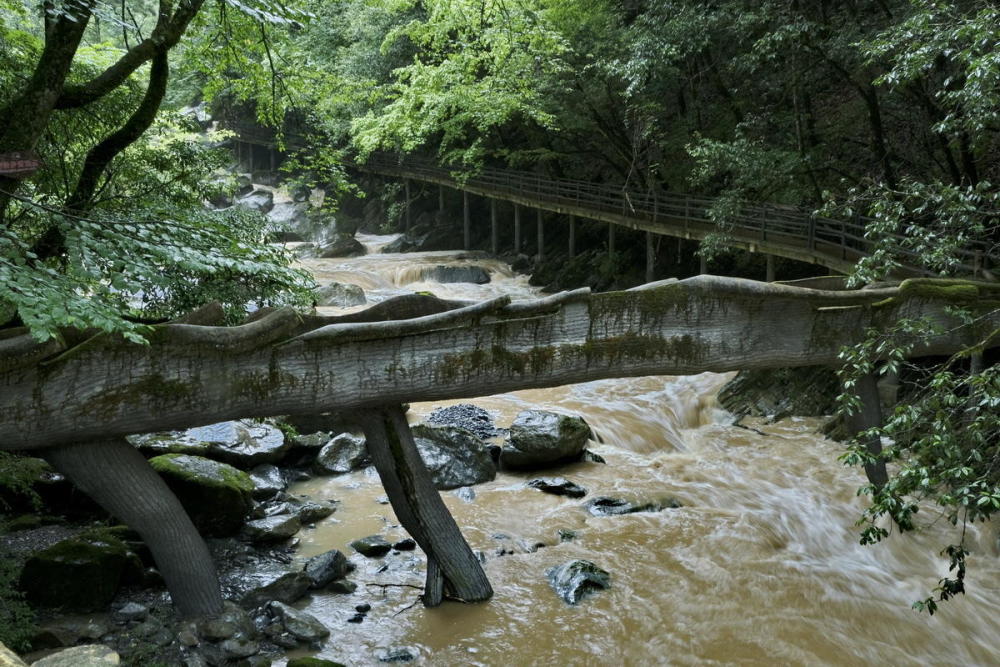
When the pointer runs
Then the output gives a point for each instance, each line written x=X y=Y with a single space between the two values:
x=115 y=475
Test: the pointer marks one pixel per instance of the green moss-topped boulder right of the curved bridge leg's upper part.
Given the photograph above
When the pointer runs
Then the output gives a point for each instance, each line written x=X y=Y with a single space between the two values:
x=216 y=495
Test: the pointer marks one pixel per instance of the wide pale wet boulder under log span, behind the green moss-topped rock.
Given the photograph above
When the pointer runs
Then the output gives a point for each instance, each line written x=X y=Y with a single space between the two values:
x=242 y=443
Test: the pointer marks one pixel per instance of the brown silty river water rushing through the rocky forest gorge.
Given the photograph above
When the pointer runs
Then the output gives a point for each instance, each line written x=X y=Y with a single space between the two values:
x=761 y=565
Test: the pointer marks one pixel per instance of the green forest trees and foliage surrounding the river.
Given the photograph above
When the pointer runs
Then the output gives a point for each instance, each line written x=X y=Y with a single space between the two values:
x=883 y=108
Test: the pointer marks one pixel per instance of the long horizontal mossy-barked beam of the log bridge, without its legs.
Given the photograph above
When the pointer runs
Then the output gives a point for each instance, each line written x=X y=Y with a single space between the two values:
x=288 y=364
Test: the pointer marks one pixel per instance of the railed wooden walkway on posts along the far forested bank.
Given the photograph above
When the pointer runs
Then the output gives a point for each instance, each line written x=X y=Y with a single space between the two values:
x=772 y=229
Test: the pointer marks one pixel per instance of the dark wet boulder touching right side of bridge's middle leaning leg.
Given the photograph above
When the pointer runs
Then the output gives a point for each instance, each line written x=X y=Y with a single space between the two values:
x=455 y=457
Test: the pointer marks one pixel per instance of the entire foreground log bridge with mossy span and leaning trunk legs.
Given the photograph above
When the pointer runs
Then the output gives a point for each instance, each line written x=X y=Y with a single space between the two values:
x=73 y=399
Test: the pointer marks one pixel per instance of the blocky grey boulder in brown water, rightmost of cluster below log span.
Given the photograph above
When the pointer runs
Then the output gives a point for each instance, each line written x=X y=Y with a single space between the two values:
x=538 y=438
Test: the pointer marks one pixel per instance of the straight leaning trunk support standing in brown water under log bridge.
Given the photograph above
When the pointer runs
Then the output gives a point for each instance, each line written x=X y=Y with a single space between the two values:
x=452 y=568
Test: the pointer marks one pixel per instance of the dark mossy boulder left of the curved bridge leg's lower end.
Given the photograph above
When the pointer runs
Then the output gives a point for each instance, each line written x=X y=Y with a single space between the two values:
x=81 y=573
